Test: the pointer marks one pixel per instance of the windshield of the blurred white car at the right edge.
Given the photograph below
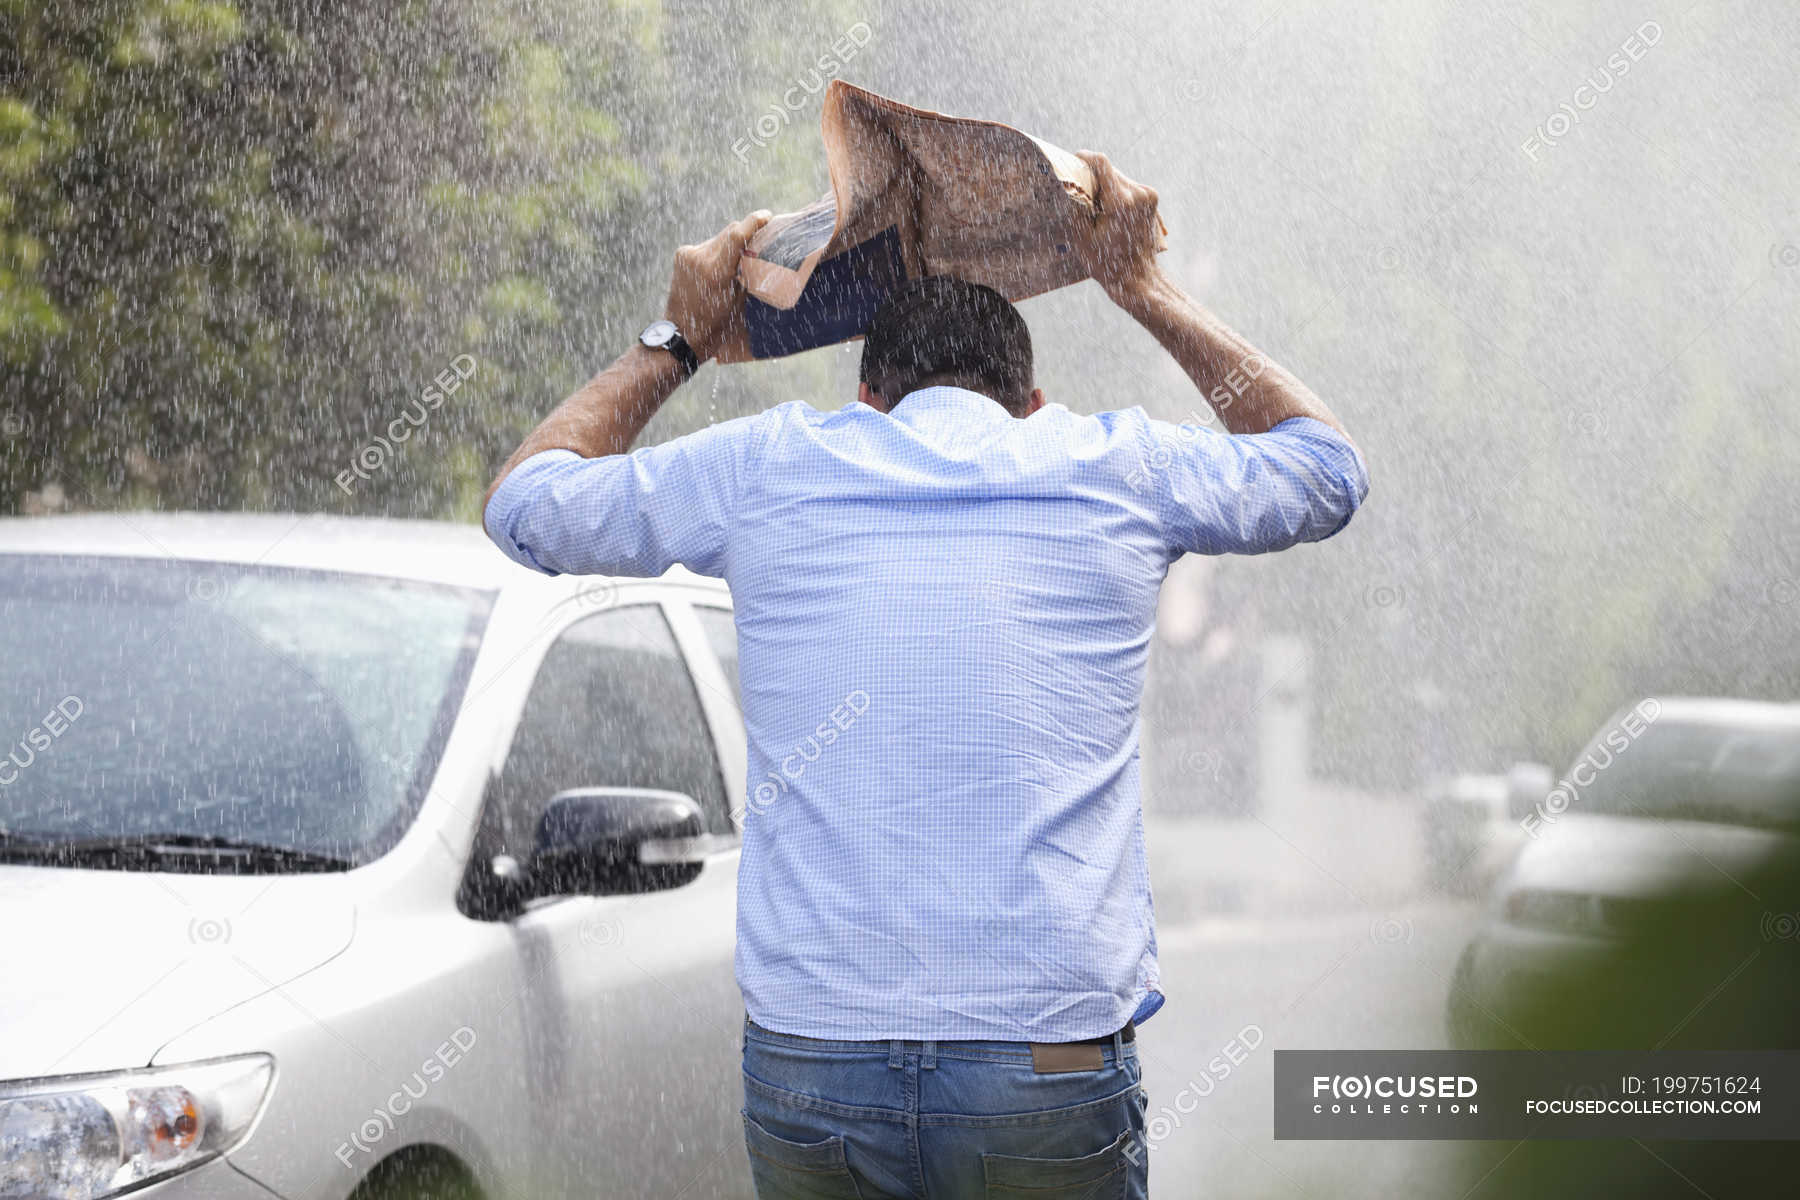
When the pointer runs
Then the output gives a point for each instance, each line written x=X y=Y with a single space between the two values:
x=1745 y=776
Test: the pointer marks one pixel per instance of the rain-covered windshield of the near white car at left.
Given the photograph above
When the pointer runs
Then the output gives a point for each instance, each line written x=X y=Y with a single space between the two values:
x=206 y=710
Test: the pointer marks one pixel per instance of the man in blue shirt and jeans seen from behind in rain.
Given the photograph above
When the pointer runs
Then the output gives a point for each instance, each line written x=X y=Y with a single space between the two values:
x=944 y=598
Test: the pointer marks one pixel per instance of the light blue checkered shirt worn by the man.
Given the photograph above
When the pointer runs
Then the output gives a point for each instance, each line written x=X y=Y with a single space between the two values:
x=944 y=618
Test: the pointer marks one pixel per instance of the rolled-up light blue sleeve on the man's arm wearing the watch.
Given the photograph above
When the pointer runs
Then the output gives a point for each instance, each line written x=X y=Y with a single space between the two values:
x=629 y=514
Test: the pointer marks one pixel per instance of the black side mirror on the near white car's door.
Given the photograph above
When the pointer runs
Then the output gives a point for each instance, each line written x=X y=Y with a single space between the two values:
x=616 y=841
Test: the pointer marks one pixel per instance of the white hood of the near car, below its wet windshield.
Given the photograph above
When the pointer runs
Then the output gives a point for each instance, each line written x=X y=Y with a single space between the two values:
x=103 y=967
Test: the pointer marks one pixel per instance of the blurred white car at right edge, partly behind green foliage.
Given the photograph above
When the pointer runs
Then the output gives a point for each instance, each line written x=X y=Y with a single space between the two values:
x=1655 y=902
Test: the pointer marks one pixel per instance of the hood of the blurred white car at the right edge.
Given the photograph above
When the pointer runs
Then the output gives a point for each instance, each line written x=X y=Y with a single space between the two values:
x=1642 y=857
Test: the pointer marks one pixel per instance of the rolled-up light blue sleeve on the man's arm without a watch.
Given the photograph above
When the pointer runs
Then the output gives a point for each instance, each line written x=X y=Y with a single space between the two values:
x=1254 y=494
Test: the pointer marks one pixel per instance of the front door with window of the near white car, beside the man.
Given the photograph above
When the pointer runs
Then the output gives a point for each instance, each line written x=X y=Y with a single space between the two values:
x=633 y=1016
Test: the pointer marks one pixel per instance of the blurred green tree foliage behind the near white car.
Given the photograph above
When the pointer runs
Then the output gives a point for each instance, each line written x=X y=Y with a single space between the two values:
x=238 y=240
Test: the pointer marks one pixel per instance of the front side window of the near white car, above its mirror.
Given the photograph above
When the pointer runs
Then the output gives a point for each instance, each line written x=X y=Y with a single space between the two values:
x=613 y=708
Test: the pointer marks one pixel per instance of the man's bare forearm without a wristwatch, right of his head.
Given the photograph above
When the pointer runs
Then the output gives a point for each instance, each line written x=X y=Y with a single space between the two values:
x=1246 y=390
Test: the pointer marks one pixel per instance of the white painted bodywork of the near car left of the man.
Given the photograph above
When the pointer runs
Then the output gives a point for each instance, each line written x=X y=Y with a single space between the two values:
x=586 y=1048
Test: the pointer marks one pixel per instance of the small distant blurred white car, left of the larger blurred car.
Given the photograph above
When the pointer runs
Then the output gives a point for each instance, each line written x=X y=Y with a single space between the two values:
x=1473 y=825
